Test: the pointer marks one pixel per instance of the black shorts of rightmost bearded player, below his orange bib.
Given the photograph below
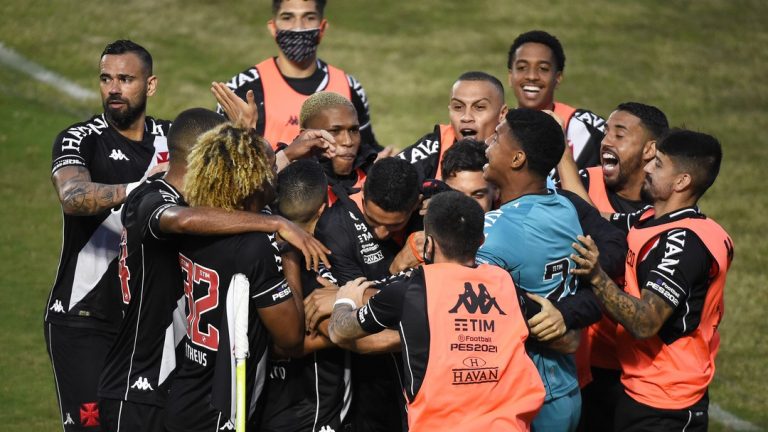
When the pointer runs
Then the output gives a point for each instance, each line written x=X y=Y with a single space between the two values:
x=632 y=416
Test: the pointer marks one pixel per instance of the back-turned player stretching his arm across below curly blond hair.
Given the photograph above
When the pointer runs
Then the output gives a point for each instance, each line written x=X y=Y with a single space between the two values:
x=138 y=370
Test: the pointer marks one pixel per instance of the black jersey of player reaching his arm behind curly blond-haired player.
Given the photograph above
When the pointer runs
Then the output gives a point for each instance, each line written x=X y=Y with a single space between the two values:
x=142 y=358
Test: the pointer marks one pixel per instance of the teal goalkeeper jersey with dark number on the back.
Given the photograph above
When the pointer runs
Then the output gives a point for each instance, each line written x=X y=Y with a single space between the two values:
x=531 y=238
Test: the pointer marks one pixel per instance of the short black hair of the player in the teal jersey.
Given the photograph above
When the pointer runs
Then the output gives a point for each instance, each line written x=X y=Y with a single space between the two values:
x=540 y=137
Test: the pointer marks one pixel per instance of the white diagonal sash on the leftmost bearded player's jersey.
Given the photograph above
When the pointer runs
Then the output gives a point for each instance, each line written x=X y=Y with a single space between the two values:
x=94 y=258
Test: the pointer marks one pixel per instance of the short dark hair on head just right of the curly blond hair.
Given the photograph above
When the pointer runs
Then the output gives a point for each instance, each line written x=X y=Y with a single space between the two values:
x=301 y=189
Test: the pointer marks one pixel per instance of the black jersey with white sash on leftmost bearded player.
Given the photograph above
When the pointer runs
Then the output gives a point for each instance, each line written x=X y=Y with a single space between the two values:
x=86 y=292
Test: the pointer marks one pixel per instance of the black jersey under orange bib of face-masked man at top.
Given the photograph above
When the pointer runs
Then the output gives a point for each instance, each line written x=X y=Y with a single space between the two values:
x=249 y=79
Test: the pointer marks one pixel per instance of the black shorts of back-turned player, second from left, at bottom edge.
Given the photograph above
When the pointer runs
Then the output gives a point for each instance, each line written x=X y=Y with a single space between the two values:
x=122 y=416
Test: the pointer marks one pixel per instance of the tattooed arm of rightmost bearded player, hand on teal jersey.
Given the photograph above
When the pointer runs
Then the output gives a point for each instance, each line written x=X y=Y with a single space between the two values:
x=642 y=317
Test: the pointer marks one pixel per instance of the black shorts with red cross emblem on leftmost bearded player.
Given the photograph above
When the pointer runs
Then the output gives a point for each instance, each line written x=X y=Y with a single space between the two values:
x=77 y=357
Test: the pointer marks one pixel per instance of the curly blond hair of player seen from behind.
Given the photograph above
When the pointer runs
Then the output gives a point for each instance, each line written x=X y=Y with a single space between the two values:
x=227 y=165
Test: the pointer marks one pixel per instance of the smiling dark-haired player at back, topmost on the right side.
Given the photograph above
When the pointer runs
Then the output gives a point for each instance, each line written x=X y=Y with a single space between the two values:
x=536 y=63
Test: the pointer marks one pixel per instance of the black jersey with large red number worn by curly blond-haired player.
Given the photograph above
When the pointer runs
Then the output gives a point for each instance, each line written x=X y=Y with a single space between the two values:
x=202 y=394
